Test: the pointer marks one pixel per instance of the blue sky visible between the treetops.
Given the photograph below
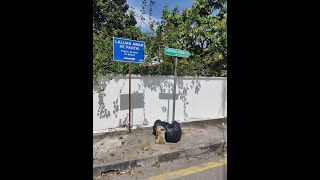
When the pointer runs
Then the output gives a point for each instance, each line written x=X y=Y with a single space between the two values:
x=157 y=9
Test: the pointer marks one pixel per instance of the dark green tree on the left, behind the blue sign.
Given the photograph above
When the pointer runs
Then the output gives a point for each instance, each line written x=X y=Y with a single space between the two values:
x=111 y=18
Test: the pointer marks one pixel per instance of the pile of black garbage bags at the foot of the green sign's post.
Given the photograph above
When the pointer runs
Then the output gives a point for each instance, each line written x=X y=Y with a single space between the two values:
x=173 y=131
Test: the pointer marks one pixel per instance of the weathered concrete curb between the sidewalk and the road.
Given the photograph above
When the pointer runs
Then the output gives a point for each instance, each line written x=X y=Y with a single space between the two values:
x=217 y=148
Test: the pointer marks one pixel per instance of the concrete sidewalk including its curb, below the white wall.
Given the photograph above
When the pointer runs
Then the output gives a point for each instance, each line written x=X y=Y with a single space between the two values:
x=122 y=150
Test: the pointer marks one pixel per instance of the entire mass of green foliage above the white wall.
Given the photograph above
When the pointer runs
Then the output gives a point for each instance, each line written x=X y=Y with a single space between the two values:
x=194 y=29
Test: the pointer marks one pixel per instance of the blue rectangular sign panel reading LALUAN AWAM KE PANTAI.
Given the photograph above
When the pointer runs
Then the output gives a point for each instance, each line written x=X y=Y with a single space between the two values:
x=125 y=50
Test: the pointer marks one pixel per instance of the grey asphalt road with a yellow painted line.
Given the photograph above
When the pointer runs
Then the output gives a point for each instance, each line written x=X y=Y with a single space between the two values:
x=205 y=167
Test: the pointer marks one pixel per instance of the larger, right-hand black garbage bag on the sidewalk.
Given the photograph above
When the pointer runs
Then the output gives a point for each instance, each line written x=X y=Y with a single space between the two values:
x=173 y=132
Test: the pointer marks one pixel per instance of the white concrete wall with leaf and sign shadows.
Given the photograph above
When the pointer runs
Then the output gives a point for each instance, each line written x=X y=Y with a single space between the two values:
x=199 y=98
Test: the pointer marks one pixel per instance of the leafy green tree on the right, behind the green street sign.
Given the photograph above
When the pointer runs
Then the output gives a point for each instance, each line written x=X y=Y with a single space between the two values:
x=200 y=33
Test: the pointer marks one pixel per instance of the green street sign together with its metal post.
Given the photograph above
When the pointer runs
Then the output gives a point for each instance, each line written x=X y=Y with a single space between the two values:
x=177 y=53
